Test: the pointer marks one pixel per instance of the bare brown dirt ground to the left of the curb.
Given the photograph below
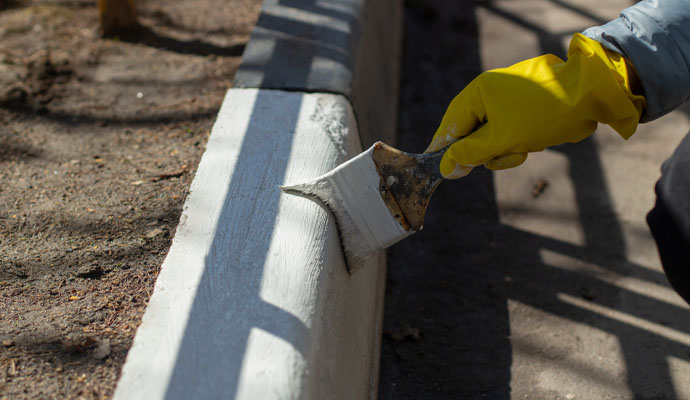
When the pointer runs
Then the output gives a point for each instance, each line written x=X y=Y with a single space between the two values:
x=99 y=141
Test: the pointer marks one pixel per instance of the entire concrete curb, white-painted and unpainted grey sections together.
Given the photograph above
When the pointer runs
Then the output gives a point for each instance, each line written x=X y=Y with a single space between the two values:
x=253 y=299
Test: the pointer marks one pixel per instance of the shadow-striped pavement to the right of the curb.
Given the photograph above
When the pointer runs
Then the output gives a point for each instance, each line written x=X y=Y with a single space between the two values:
x=541 y=282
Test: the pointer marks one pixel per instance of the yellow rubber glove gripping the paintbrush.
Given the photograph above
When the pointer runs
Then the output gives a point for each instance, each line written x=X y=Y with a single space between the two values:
x=535 y=104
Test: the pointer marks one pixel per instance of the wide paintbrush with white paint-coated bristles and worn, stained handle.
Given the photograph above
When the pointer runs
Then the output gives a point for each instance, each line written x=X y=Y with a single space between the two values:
x=377 y=198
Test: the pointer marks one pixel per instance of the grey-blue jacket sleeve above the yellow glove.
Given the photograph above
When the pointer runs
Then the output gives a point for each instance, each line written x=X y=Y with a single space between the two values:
x=655 y=36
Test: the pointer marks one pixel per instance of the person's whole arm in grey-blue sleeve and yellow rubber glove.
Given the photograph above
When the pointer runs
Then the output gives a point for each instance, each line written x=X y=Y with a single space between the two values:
x=505 y=113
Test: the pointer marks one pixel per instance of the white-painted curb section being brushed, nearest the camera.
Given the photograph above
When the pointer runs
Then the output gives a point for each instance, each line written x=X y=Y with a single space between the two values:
x=254 y=300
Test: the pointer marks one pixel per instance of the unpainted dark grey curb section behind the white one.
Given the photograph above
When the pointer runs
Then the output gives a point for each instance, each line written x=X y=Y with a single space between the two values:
x=349 y=47
